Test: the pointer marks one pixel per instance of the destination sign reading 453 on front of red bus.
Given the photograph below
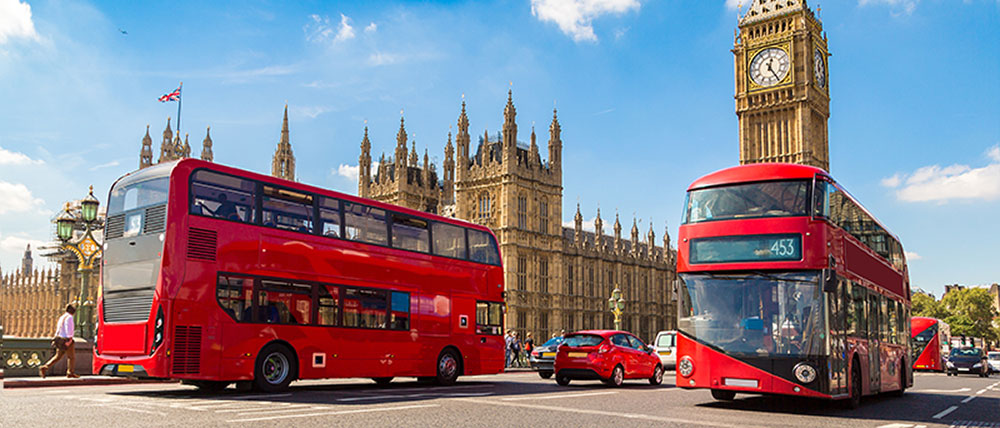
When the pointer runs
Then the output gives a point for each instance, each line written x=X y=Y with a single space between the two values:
x=752 y=248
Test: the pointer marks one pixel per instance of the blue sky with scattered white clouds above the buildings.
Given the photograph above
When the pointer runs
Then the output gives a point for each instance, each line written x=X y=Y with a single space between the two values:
x=644 y=92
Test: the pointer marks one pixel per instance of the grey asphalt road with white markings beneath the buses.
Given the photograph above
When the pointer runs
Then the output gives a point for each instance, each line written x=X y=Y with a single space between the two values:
x=506 y=400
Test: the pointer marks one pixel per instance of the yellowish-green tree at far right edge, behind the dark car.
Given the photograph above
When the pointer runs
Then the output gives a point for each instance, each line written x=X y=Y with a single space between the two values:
x=971 y=312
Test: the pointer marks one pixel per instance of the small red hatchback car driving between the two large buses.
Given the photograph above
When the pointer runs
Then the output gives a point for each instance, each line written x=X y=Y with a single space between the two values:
x=610 y=356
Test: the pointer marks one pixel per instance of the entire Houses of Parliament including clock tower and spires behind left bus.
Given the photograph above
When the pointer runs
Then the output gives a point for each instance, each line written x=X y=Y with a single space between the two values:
x=557 y=278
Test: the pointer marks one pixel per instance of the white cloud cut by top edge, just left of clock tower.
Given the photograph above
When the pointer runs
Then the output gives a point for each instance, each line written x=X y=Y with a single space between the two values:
x=575 y=17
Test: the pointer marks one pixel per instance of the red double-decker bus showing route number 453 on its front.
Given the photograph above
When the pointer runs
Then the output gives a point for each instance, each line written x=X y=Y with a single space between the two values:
x=787 y=285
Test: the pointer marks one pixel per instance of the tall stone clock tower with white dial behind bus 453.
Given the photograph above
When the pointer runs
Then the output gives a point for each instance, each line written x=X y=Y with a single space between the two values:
x=782 y=86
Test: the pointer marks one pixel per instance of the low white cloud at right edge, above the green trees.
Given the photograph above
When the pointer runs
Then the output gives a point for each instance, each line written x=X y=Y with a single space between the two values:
x=941 y=184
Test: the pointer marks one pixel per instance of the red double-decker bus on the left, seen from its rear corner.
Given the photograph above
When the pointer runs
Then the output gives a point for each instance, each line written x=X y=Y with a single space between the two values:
x=213 y=274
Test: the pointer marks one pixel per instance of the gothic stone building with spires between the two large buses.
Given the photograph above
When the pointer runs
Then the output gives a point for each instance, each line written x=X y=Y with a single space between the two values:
x=557 y=278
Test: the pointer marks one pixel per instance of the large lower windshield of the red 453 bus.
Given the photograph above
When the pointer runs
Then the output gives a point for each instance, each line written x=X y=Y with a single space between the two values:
x=755 y=314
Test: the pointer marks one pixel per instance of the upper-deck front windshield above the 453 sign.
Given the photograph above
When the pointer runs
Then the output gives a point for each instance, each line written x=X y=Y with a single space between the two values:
x=764 y=199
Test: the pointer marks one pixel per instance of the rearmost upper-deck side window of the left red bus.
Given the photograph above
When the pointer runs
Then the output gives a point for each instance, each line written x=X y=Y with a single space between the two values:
x=222 y=196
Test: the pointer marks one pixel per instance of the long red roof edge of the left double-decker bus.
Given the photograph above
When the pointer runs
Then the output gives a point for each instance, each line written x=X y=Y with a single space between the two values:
x=193 y=163
